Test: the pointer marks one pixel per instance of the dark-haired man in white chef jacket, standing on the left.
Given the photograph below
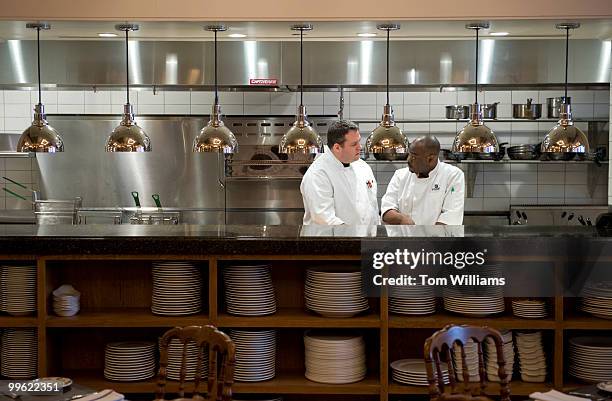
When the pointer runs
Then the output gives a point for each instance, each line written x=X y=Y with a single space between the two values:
x=339 y=187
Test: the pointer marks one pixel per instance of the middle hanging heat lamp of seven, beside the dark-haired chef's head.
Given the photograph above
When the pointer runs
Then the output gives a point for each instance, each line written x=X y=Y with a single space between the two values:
x=301 y=137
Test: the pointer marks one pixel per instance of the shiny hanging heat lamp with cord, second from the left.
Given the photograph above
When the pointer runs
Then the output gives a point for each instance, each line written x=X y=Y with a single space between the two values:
x=128 y=136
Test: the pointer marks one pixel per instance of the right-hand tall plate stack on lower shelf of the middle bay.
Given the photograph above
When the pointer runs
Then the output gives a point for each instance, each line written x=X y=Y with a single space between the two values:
x=334 y=358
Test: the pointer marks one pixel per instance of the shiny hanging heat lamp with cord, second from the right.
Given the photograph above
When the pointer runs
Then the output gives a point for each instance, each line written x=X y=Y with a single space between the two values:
x=476 y=137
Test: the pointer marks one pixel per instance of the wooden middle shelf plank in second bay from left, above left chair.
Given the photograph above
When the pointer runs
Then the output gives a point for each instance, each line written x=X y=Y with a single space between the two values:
x=124 y=317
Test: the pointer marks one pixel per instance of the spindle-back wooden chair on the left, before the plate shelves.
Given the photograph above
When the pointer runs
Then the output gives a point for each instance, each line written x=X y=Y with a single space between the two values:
x=219 y=346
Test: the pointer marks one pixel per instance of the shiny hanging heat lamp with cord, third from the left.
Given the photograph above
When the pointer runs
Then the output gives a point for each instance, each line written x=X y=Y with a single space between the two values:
x=215 y=137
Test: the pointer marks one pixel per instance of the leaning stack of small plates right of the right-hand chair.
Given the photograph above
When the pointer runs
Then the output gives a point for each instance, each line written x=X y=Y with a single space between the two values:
x=532 y=359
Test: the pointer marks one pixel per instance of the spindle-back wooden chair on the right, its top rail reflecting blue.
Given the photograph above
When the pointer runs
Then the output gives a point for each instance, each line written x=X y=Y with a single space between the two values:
x=441 y=342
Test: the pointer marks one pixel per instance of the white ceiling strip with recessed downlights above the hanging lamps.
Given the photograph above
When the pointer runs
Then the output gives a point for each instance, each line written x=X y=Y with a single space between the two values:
x=346 y=30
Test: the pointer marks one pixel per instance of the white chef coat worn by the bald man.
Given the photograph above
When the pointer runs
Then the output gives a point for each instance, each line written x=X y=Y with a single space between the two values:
x=438 y=198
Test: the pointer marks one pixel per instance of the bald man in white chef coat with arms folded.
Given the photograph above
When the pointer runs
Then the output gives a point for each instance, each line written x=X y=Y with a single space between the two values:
x=426 y=192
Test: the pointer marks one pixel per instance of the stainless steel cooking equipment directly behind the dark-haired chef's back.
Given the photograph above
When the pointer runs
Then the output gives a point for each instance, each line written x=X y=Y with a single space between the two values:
x=262 y=184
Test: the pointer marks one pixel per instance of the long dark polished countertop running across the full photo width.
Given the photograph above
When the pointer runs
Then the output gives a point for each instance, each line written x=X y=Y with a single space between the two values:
x=269 y=240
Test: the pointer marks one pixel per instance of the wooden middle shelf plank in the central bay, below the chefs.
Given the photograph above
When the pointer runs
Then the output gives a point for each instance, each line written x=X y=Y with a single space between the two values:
x=295 y=317
